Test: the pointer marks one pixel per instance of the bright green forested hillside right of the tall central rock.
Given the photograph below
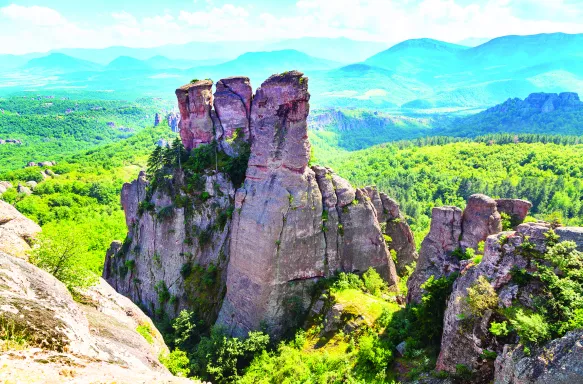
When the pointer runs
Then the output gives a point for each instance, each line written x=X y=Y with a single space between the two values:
x=421 y=176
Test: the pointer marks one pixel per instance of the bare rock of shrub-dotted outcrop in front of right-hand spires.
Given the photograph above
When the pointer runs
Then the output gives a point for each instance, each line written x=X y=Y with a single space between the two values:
x=466 y=337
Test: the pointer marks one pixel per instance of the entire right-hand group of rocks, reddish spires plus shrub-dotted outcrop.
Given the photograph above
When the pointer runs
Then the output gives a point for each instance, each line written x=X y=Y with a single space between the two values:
x=464 y=340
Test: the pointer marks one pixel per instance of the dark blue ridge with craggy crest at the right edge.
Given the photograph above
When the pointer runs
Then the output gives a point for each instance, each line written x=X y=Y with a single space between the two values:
x=539 y=113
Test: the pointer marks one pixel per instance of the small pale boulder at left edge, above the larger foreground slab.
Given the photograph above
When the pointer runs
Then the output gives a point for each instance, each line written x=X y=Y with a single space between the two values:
x=16 y=231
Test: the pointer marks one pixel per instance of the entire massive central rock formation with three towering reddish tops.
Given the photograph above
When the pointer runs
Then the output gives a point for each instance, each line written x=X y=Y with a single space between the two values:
x=291 y=224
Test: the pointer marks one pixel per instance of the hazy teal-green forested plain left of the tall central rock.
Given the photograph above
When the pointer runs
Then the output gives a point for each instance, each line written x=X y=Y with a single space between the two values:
x=50 y=128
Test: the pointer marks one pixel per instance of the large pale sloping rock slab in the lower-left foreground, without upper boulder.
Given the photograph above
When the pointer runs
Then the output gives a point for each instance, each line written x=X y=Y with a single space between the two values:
x=99 y=333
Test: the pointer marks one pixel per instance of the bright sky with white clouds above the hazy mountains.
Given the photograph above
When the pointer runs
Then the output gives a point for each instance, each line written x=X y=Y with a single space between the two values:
x=42 y=25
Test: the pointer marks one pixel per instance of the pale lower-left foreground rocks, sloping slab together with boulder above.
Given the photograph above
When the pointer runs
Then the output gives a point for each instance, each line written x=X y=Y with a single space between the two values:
x=93 y=340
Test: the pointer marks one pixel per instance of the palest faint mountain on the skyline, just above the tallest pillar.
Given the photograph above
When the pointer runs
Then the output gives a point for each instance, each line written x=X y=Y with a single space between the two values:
x=340 y=49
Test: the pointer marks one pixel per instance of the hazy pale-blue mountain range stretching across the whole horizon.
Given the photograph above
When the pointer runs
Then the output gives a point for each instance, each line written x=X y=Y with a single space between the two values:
x=414 y=76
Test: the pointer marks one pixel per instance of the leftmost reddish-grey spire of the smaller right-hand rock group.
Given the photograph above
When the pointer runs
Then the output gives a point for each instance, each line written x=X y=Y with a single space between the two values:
x=435 y=256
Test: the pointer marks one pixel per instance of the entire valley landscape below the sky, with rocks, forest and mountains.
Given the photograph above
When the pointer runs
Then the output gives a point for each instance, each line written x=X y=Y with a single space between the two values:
x=383 y=216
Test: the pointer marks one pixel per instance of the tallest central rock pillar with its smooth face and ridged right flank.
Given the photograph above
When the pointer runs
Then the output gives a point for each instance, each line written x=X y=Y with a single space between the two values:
x=293 y=225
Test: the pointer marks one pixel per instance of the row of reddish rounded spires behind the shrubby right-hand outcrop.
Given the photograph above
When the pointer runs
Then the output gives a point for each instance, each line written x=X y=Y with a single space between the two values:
x=453 y=230
